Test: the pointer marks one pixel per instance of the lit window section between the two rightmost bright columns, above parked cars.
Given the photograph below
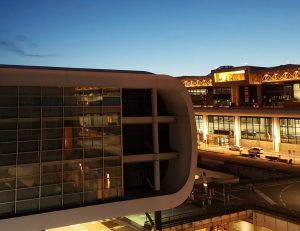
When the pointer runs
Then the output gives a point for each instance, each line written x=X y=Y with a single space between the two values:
x=256 y=128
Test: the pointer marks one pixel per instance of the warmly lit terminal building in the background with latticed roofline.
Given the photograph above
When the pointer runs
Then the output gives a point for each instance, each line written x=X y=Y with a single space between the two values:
x=249 y=106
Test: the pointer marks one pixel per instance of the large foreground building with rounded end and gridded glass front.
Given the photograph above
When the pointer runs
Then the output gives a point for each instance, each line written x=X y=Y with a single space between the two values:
x=78 y=145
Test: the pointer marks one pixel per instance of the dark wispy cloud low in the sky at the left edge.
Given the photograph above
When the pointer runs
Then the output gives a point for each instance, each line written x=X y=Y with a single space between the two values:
x=21 y=45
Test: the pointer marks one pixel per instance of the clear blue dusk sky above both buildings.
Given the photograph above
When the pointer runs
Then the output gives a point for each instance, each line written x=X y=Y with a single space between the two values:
x=175 y=37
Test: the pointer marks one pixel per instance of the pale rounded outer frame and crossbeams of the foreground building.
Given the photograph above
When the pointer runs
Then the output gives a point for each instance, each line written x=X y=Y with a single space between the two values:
x=176 y=183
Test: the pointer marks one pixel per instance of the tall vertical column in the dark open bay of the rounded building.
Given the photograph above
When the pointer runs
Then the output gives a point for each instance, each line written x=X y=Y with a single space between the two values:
x=155 y=140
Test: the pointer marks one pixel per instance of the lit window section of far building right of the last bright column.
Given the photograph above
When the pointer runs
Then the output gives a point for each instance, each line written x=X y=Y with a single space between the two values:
x=290 y=130
